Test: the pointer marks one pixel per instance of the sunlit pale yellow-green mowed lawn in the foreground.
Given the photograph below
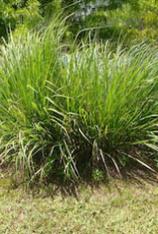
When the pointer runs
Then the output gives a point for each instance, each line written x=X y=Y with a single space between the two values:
x=120 y=207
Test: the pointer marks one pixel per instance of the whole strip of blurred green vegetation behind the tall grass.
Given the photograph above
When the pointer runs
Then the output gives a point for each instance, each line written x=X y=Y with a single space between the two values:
x=130 y=20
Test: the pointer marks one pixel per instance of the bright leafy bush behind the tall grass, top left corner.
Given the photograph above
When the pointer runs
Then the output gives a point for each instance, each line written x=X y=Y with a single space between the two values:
x=18 y=16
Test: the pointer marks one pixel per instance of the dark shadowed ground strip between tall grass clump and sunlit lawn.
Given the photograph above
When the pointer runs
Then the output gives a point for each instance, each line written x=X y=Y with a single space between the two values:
x=51 y=188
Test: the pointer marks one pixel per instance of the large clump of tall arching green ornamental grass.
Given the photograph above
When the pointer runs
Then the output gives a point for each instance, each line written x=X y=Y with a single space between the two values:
x=69 y=115
